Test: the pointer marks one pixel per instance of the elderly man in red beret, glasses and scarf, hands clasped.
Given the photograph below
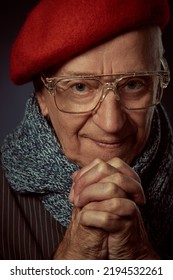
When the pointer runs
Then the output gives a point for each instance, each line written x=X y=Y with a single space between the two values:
x=89 y=169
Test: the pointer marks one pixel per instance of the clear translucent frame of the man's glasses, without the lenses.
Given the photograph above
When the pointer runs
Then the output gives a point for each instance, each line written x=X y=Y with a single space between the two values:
x=50 y=85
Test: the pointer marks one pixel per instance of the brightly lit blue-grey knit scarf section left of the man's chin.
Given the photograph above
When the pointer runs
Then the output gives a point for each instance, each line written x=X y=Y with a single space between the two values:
x=34 y=163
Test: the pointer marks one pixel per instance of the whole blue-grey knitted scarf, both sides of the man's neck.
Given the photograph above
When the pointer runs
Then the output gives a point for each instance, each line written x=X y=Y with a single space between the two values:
x=34 y=162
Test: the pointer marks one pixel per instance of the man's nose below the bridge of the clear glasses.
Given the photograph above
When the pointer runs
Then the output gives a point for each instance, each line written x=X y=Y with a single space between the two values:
x=110 y=115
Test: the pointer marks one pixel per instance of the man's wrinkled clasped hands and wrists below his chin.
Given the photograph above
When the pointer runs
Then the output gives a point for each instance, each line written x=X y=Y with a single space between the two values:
x=106 y=222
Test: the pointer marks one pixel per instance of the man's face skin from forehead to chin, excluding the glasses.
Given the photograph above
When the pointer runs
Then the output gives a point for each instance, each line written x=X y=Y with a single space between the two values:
x=111 y=131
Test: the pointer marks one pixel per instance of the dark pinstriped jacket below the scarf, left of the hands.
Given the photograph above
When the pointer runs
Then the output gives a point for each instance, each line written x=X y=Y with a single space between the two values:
x=27 y=230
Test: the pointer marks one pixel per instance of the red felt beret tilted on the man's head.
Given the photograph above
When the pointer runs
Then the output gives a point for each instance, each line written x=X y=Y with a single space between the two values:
x=56 y=30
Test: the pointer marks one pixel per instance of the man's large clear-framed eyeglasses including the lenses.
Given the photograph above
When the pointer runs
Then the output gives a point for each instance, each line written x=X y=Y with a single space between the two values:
x=83 y=94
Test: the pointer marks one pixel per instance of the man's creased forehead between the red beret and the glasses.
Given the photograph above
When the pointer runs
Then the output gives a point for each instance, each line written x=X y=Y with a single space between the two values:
x=137 y=50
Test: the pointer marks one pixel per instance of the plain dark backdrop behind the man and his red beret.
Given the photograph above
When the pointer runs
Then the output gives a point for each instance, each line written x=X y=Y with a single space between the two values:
x=12 y=98
